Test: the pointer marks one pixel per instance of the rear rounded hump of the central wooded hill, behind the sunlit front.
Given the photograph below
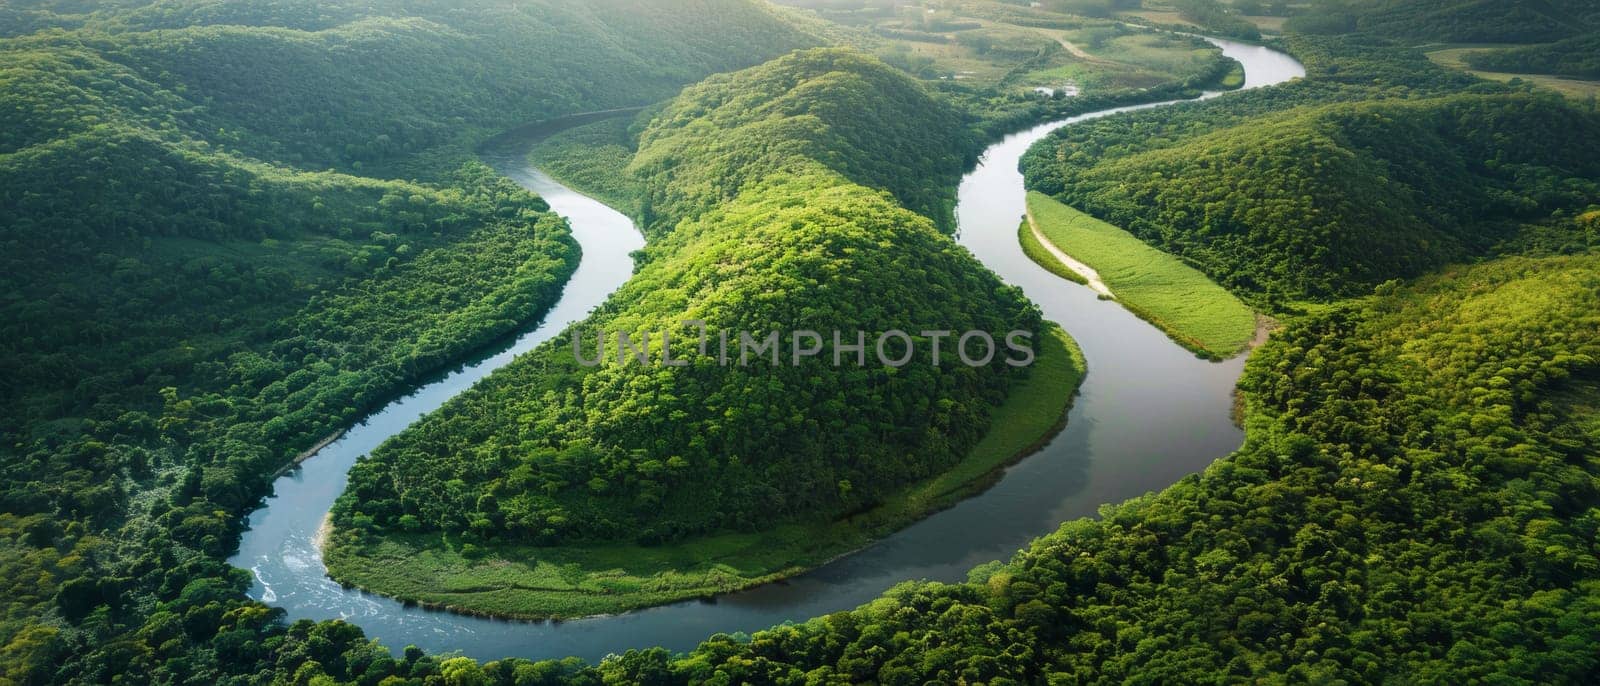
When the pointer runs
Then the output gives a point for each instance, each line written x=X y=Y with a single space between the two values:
x=846 y=111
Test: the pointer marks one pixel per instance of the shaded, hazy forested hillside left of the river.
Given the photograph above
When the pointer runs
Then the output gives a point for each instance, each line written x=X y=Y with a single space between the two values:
x=210 y=261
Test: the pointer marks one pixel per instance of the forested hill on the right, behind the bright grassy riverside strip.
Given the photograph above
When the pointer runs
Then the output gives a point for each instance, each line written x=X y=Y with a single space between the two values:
x=1327 y=201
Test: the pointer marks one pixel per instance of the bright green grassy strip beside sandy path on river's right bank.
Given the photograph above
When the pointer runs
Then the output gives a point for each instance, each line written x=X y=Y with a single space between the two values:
x=1154 y=285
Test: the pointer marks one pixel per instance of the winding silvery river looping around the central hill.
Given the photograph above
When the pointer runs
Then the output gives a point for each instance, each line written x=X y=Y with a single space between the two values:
x=1150 y=413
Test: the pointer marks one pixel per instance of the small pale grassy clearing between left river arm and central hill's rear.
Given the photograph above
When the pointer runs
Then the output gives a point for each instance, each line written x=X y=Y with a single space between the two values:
x=591 y=159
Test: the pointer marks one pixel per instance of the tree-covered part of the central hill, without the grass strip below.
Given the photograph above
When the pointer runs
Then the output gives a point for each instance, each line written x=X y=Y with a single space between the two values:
x=548 y=452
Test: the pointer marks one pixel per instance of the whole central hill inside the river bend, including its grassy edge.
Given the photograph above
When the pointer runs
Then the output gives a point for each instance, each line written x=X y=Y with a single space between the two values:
x=670 y=473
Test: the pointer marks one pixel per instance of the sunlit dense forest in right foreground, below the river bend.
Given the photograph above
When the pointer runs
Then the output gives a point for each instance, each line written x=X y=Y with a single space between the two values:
x=1414 y=501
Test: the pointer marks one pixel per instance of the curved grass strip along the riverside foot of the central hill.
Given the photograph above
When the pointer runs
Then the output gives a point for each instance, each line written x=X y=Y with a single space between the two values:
x=562 y=583
